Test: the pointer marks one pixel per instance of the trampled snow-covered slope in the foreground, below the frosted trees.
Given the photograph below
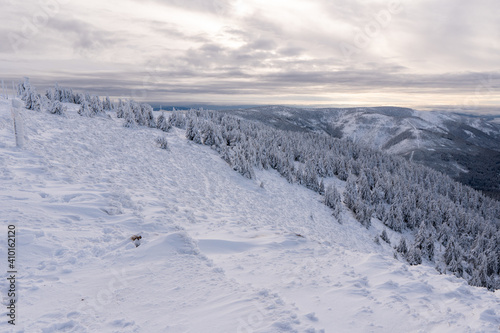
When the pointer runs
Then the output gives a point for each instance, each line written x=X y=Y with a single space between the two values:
x=219 y=252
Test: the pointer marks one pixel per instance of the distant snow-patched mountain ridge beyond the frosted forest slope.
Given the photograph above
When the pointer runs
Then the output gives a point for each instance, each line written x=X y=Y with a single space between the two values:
x=466 y=147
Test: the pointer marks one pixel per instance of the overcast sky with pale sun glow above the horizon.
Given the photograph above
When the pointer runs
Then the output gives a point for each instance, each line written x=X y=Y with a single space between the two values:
x=337 y=52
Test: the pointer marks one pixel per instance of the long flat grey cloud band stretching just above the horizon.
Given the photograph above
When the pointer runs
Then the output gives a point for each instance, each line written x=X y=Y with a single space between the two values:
x=232 y=81
